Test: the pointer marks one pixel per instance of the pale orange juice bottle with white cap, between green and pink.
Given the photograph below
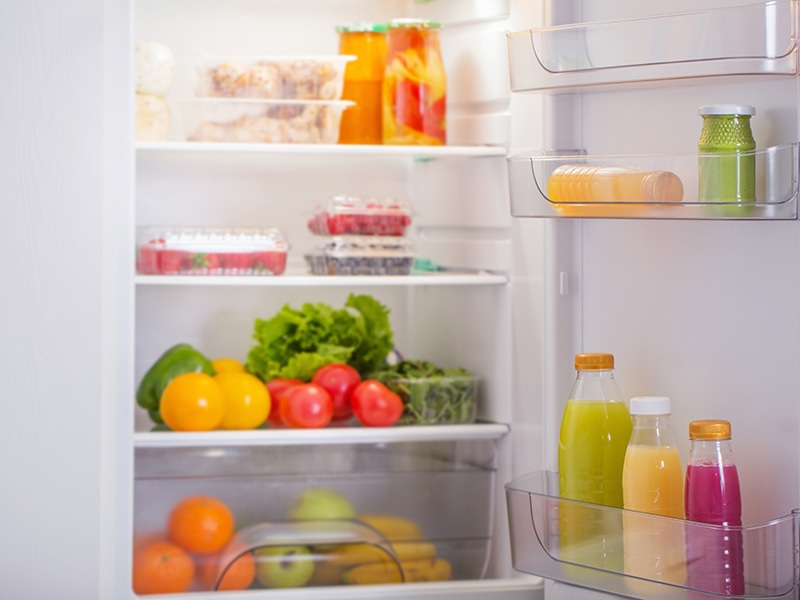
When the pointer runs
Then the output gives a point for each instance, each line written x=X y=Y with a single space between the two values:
x=652 y=482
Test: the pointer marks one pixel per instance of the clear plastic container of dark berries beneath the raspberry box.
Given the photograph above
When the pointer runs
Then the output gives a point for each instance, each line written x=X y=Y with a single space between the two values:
x=359 y=255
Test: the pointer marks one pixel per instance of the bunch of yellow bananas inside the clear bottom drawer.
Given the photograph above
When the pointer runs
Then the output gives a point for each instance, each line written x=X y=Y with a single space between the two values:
x=365 y=564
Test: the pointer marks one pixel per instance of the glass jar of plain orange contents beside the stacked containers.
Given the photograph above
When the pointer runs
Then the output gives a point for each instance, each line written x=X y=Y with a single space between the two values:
x=363 y=80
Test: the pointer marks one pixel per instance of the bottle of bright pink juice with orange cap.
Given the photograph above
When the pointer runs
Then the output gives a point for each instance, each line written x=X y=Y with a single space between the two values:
x=714 y=556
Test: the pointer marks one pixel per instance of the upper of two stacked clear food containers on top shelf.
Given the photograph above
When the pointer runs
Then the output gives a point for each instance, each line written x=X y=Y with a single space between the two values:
x=272 y=77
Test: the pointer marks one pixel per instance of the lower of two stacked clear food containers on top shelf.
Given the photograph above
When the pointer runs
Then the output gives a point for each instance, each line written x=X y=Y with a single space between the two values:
x=263 y=121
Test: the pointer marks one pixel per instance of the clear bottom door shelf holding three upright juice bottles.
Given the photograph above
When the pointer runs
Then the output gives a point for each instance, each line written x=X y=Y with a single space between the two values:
x=769 y=549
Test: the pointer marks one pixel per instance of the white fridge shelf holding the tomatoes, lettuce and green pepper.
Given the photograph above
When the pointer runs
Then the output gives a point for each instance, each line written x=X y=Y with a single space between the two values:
x=327 y=436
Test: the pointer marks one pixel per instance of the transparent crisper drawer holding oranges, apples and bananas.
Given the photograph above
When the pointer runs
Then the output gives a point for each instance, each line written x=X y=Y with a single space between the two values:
x=317 y=515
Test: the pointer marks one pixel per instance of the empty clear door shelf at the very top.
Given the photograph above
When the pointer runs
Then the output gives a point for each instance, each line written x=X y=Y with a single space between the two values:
x=754 y=39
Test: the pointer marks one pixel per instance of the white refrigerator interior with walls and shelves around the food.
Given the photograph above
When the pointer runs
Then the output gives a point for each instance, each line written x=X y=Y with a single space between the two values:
x=450 y=482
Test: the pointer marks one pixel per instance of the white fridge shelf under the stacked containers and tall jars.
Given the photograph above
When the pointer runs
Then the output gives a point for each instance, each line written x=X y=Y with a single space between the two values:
x=345 y=150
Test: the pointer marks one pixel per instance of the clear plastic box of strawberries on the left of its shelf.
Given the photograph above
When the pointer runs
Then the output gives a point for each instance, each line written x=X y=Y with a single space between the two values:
x=210 y=251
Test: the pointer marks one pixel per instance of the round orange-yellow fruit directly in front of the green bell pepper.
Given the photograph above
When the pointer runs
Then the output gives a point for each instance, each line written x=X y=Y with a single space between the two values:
x=192 y=402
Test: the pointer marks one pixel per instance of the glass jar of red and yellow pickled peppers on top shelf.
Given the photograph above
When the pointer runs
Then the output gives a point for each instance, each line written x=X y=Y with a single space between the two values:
x=414 y=85
